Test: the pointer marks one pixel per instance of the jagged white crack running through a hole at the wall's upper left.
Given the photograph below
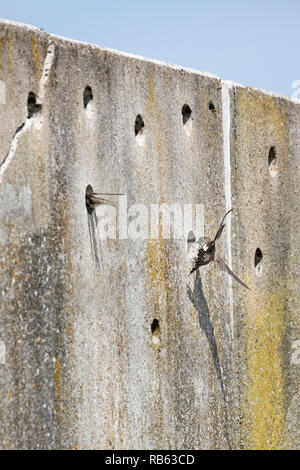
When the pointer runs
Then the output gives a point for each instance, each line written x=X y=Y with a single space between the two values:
x=30 y=119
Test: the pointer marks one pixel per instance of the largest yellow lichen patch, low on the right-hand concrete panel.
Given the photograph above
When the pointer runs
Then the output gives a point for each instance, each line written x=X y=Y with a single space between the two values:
x=264 y=399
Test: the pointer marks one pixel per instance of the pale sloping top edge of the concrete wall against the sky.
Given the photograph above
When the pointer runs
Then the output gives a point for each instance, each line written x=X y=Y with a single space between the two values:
x=228 y=83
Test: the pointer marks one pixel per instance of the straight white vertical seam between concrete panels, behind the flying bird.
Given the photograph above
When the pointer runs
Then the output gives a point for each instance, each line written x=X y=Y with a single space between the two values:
x=226 y=86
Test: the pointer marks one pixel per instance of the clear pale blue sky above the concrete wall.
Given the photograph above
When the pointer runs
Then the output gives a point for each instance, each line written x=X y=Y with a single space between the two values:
x=252 y=42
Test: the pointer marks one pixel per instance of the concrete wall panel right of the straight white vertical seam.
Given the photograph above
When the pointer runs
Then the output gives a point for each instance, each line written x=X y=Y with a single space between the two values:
x=264 y=154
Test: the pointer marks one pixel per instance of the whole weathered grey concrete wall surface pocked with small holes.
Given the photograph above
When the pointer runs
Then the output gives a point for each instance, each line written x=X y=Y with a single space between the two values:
x=82 y=366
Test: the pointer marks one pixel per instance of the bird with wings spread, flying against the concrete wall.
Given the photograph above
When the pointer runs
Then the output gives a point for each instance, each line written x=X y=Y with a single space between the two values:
x=207 y=253
